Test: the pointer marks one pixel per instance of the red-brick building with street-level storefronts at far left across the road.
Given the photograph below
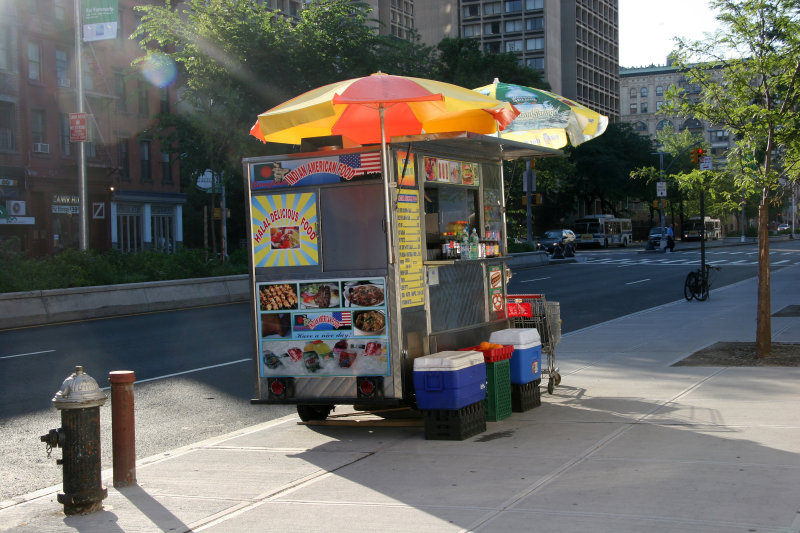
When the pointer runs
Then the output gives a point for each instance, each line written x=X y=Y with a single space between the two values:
x=133 y=186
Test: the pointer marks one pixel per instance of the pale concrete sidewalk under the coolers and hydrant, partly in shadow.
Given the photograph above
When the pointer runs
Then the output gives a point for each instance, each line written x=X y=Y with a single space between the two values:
x=627 y=443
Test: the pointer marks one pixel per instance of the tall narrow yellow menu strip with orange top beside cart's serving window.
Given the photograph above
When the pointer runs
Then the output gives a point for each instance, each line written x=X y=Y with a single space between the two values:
x=409 y=234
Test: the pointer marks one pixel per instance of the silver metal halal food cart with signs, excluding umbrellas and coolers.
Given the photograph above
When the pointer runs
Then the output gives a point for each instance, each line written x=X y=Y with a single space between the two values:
x=355 y=273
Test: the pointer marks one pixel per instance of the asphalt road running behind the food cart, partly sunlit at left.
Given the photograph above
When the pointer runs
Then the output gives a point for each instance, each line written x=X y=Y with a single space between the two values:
x=194 y=375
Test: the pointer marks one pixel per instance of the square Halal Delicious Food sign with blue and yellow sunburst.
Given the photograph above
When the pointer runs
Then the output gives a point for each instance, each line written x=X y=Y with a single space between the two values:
x=284 y=229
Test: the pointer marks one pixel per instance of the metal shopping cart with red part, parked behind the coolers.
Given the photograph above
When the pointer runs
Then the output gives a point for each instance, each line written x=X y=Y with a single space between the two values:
x=534 y=311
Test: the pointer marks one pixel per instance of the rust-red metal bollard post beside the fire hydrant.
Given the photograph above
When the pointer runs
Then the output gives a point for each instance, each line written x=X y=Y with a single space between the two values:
x=123 y=432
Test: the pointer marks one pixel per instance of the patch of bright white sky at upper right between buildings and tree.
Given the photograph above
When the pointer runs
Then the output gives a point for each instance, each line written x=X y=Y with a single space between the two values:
x=646 y=28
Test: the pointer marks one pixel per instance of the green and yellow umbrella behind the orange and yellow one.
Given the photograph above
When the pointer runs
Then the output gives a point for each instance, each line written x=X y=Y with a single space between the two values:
x=546 y=119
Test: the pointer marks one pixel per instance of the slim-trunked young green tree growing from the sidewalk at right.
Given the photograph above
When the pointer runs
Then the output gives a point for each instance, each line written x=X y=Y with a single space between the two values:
x=746 y=80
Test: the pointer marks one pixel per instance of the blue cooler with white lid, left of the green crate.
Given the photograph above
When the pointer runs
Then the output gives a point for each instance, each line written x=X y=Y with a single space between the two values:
x=449 y=380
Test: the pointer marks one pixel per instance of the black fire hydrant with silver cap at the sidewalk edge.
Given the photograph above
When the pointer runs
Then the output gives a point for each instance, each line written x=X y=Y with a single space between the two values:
x=79 y=401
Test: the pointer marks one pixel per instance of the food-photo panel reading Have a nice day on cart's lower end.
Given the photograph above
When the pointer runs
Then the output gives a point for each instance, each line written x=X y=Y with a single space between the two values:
x=323 y=328
